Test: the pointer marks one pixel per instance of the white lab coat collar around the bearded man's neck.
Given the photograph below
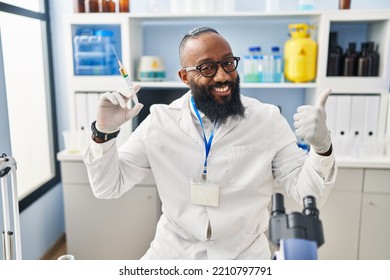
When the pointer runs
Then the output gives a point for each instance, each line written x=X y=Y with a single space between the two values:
x=186 y=122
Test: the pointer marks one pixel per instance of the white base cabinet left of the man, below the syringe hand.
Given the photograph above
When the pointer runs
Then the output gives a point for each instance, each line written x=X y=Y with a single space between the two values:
x=99 y=229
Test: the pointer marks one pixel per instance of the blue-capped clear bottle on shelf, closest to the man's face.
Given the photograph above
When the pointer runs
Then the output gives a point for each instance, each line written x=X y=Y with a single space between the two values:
x=253 y=65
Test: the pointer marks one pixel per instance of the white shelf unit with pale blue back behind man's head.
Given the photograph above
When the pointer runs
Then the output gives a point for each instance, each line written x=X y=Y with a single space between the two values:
x=160 y=34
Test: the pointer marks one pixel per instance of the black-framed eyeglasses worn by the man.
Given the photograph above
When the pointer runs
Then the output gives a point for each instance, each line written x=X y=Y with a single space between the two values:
x=209 y=69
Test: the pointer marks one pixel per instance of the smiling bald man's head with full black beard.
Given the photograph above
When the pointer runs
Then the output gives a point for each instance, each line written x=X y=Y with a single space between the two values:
x=218 y=97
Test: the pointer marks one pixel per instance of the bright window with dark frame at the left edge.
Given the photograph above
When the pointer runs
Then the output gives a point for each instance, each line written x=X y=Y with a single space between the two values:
x=29 y=95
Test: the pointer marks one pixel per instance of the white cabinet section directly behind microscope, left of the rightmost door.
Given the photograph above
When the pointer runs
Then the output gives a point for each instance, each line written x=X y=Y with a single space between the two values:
x=340 y=216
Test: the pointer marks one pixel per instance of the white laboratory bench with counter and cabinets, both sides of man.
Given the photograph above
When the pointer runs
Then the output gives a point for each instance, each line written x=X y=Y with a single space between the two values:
x=355 y=217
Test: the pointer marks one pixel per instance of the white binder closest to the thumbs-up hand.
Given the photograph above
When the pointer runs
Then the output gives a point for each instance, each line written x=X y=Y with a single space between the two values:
x=343 y=113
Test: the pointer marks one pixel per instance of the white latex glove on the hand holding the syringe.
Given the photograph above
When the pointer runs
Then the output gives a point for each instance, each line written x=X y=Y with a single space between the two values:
x=112 y=111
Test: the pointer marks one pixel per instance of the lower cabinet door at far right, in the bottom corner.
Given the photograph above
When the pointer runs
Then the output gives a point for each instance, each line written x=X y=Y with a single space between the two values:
x=375 y=227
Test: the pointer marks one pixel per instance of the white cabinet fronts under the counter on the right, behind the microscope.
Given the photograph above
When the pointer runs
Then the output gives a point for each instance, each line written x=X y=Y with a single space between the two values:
x=355 y=218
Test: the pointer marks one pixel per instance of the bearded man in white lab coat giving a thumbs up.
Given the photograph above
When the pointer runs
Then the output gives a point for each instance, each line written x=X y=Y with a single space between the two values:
x=214 y=155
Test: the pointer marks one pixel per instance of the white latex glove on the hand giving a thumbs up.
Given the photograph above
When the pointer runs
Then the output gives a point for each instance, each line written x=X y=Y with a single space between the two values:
x=310 y=124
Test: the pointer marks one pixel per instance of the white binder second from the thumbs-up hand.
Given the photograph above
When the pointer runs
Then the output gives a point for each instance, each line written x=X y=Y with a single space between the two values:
x=357 y=125
